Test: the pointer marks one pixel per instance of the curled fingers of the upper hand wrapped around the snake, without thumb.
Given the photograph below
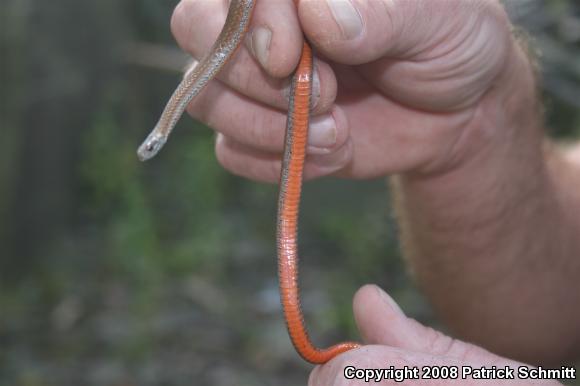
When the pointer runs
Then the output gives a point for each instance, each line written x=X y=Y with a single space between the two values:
x=248 y=107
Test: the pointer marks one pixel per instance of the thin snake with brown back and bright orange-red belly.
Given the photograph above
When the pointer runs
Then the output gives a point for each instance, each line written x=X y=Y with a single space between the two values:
x=235 y=28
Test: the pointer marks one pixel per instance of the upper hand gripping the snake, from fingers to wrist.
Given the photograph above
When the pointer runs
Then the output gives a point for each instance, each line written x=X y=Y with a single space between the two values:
x=399 y=85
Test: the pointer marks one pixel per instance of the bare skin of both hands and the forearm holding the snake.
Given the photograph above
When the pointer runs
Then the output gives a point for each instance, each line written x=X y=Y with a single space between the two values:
x=488 y=209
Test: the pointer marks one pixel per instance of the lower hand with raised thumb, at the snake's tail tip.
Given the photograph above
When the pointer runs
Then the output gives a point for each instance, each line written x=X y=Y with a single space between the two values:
x=394 y=340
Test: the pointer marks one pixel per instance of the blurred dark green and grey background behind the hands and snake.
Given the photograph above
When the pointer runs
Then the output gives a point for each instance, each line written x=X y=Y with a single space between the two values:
x=114 y=272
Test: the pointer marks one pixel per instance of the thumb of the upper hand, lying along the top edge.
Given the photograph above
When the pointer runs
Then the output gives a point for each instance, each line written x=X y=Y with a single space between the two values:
x=360 y=31
